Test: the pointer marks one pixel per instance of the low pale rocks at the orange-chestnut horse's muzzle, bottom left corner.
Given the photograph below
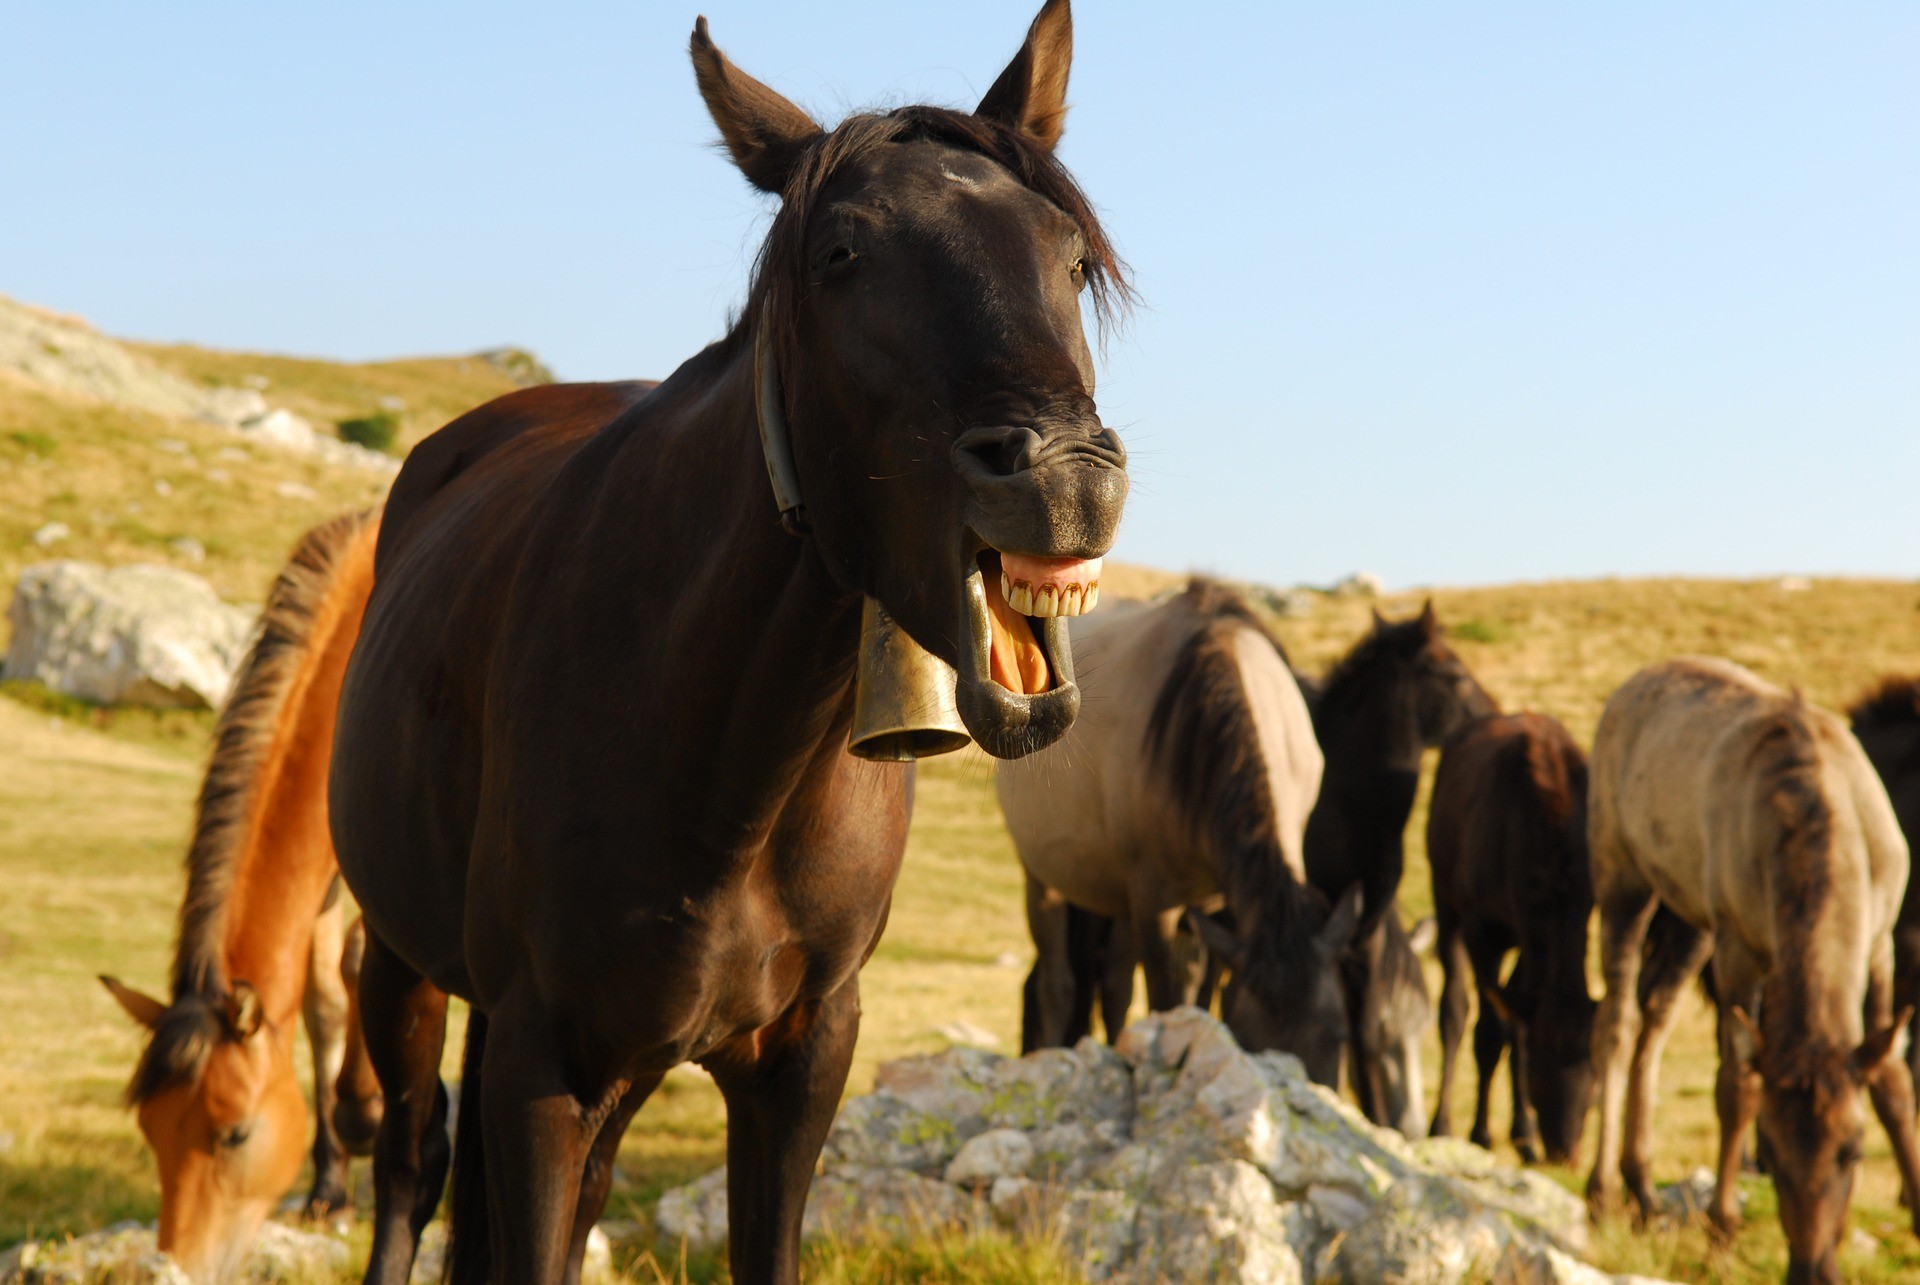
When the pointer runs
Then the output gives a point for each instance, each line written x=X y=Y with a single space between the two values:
x=128 y=1255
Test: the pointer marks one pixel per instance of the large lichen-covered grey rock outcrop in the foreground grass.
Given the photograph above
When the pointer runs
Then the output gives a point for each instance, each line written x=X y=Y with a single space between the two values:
x=1174 y=1157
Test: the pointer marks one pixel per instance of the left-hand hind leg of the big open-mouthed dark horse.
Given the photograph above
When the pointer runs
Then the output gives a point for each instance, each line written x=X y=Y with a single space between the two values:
x=404 y=1021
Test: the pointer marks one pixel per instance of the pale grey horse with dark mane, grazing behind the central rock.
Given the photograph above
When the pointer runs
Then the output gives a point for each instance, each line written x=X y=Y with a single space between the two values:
x=1186 y=783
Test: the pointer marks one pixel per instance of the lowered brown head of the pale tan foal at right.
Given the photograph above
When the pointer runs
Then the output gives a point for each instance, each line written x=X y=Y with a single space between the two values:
x=1813 y=1128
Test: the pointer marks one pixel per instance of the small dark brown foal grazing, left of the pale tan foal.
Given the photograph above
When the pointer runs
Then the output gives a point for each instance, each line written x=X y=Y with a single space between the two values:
x=1508 y=846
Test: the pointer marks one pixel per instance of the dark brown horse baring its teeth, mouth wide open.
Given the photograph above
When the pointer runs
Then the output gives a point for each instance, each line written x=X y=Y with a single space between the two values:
x=592 y=760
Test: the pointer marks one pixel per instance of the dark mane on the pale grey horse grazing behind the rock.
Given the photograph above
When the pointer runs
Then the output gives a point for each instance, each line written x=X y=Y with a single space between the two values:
x=1205 y=746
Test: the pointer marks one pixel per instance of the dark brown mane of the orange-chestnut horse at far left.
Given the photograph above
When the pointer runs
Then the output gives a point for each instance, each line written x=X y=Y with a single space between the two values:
x=224 y=815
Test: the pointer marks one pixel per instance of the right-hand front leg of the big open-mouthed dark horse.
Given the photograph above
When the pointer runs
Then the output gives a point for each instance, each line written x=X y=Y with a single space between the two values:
x=782 y=1088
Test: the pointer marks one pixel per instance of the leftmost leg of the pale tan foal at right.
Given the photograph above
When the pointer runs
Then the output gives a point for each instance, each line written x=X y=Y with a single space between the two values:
x=1625 y=911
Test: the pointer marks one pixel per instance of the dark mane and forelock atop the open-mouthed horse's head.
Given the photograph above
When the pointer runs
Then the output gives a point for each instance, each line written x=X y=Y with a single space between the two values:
x=782 y=274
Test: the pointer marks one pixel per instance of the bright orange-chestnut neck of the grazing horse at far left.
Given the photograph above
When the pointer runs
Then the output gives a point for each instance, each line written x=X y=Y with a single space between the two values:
x=287 y=860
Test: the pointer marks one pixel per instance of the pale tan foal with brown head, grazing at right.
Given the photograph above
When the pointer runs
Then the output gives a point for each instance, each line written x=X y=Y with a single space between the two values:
x=1756 y=819
